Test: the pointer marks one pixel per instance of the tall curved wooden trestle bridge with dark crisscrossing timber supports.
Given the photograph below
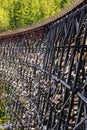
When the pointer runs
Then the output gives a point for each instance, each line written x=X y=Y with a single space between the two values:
x=44 y=72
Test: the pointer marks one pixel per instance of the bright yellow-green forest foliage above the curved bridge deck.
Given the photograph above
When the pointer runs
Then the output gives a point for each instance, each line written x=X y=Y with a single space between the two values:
x=22 y=13
